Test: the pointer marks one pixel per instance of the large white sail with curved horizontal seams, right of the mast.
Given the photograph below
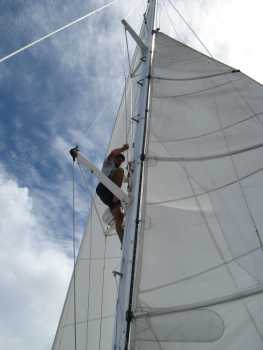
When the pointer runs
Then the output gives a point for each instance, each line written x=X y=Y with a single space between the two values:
x=199 y=275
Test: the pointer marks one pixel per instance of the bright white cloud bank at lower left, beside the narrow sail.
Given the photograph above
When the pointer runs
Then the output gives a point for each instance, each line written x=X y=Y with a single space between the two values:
x=34 y=276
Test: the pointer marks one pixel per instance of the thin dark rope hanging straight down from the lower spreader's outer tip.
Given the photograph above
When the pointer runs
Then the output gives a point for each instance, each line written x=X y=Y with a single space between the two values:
x=74 y=256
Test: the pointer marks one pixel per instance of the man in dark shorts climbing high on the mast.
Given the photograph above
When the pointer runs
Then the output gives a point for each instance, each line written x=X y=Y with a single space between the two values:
x=111 y=168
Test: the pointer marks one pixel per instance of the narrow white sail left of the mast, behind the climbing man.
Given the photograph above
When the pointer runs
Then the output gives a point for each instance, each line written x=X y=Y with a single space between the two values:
x=91 y=325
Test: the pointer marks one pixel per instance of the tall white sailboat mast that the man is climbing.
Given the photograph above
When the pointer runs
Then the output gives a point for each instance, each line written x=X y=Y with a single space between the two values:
x=124 y=311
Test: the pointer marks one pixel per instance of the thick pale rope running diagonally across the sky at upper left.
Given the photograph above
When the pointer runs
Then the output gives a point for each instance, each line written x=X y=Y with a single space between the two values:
x=23 y=48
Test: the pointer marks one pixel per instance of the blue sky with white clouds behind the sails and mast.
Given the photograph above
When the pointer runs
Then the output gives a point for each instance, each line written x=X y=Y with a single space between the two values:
x=62 y=92
